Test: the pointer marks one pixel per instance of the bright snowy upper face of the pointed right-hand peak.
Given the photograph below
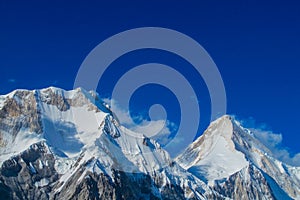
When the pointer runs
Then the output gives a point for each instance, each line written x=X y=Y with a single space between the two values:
x=213 y=156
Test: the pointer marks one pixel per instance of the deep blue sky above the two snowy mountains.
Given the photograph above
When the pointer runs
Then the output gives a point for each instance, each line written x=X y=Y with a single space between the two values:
x=255 y=44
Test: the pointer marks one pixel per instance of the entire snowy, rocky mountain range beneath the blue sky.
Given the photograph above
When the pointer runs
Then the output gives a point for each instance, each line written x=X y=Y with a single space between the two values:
x=57 y=144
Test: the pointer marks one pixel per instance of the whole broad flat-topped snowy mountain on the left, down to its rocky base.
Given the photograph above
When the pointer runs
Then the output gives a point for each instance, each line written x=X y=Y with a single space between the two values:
x=69 y=141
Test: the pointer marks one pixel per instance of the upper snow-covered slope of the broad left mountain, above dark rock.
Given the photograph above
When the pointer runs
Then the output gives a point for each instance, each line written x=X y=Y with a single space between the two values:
x=71 y=124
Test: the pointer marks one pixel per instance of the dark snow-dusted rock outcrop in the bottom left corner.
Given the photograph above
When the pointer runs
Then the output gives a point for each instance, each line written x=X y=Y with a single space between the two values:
x=28 y=175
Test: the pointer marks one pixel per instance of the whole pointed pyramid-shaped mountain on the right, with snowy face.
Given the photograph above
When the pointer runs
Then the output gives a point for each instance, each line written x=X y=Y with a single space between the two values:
x=227 y=152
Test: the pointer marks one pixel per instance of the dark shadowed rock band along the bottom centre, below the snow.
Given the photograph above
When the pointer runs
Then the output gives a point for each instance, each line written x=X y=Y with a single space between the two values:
x=121 y=186
